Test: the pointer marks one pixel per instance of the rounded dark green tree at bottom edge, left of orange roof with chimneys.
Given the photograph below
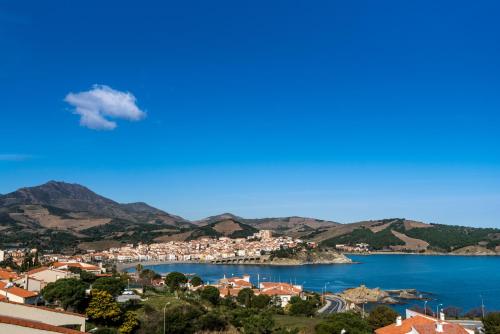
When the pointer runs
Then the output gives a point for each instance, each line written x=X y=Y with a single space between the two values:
x=352 y=323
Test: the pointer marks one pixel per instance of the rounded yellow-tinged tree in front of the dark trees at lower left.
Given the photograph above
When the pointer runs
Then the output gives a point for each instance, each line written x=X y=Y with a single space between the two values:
x=103 y=309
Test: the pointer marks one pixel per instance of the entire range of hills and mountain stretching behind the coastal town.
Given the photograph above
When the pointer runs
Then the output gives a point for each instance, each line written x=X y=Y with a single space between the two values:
x=64 y=216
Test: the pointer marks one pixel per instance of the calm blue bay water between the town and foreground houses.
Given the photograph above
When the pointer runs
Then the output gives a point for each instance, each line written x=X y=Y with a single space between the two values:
x=452 y=280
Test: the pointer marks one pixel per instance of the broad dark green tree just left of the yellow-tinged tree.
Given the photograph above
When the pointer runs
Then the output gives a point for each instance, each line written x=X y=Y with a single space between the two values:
x=69 y=293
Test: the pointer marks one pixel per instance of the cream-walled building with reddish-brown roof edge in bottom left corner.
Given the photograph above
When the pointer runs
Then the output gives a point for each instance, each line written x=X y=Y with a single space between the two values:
x=22 y=318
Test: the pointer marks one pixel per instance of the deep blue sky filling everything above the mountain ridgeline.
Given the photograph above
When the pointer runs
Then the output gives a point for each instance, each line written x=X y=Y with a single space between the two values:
x=342 y=110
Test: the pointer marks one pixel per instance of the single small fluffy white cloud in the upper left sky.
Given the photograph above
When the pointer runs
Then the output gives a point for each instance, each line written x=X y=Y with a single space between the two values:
x=100 y=105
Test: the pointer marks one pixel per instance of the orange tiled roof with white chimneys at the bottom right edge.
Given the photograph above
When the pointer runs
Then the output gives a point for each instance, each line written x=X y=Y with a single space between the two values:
x=416 y=323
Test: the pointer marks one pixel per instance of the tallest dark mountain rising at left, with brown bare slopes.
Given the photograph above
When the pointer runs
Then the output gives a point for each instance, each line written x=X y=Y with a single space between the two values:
x=59 y=215
